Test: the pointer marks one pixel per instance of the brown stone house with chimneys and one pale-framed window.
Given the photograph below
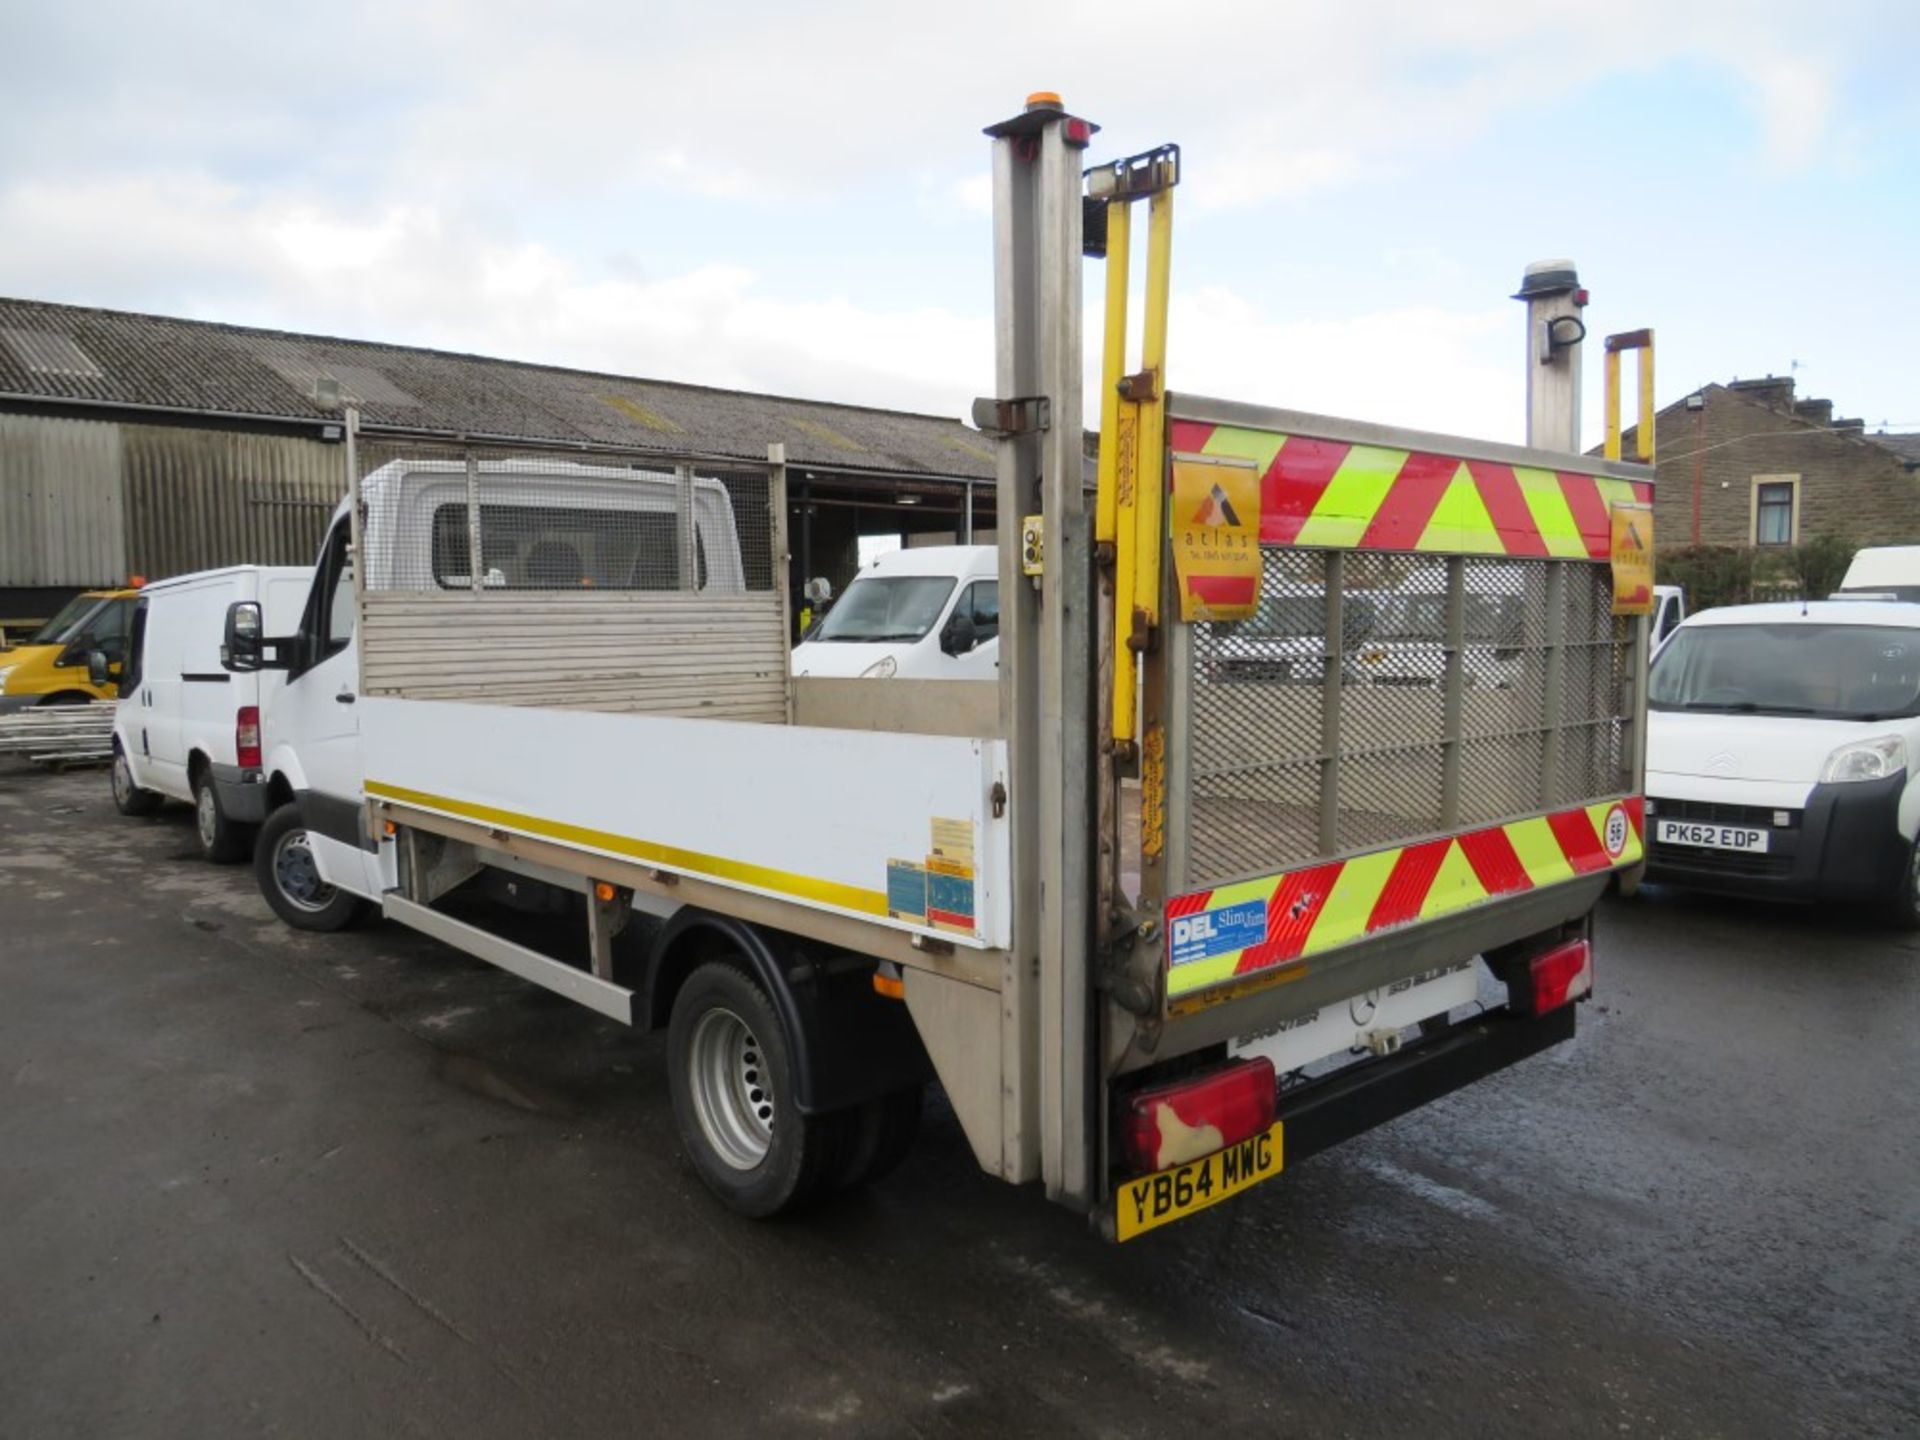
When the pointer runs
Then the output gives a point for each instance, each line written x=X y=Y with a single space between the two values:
x=1746 y=464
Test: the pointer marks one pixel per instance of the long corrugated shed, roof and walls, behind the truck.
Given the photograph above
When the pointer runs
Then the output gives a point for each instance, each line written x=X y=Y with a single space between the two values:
x=139 y=444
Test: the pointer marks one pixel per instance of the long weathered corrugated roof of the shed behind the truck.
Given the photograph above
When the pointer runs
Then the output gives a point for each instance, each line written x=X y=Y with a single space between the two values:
x=116 y=358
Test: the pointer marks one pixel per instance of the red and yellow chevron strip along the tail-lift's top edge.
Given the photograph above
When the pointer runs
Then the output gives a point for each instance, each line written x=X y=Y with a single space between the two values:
x=1341 y=496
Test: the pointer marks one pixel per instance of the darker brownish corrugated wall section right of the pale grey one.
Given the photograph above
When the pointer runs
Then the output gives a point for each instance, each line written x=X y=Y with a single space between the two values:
x=206 y=498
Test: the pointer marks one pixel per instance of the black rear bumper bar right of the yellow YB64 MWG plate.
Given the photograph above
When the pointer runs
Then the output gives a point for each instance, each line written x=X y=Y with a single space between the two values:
x=1358 y=1097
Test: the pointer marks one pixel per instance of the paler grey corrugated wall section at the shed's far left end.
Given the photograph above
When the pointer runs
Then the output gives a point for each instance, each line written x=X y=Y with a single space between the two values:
x=62 y=519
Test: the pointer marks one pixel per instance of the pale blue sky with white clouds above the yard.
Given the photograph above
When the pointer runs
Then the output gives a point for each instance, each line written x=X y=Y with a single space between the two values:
x=794 y=199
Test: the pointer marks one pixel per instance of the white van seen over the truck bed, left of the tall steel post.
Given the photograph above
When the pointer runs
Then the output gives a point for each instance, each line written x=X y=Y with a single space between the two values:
x=913 y=613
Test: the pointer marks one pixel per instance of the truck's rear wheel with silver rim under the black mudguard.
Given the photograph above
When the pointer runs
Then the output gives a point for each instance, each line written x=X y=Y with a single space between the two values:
x=732 y=1082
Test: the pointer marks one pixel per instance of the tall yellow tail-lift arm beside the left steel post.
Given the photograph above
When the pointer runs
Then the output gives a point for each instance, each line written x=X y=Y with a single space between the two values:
x=1134 y=408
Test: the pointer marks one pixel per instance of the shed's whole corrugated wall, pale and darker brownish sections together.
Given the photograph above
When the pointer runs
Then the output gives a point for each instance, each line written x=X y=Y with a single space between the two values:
x=91 y=502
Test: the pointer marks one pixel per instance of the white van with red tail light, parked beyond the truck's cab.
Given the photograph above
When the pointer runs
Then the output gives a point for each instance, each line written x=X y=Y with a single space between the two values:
x=185 y=729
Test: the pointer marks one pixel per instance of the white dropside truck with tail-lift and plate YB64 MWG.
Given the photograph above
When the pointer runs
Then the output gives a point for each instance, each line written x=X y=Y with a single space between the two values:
x=1153 y=930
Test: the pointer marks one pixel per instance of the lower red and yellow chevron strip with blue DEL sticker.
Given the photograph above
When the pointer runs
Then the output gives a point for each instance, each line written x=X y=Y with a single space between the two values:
x=1237 y=930
